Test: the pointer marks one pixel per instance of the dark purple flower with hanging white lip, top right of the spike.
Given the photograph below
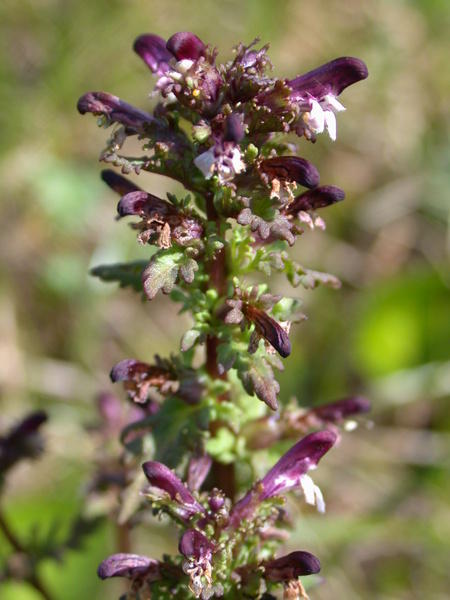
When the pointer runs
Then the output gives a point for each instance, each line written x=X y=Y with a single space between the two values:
x=316 y=94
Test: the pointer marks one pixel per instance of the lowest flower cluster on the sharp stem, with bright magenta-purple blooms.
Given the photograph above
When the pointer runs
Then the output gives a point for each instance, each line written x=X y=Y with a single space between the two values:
x=216 y=532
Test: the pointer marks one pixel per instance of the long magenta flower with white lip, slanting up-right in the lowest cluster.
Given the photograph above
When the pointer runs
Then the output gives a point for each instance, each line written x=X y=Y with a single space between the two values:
x=288 y=473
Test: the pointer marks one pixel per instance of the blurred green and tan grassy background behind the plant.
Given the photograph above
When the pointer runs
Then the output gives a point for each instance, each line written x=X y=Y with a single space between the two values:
x=386 y=333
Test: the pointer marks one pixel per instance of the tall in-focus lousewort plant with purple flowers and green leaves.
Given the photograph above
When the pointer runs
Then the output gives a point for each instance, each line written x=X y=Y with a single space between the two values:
x=212 y=410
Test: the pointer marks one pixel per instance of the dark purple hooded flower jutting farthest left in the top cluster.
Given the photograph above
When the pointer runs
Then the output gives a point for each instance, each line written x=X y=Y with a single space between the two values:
x=114 y=109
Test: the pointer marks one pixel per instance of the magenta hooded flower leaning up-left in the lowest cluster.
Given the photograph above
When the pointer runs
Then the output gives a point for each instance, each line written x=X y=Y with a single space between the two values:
x=165 y=483
